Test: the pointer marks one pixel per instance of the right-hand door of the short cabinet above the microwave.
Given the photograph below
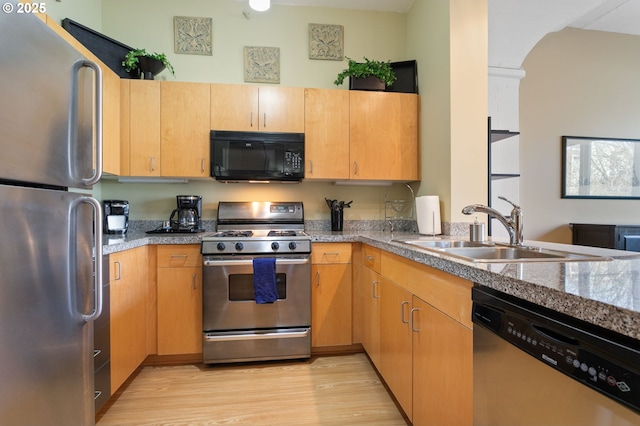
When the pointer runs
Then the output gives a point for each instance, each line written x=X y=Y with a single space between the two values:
x=281 y=109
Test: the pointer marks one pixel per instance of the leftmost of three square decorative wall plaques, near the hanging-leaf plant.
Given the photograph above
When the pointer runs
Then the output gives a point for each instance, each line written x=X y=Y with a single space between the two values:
x=192 y=35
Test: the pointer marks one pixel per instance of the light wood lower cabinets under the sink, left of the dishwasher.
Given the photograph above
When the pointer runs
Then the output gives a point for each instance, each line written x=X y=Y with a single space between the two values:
x=418 y=334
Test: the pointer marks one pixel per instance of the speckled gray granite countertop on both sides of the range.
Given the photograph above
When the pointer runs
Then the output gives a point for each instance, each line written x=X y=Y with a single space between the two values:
x=604 y=293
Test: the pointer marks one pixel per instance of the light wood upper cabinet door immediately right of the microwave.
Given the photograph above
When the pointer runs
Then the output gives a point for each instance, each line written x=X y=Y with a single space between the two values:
x=326 y=128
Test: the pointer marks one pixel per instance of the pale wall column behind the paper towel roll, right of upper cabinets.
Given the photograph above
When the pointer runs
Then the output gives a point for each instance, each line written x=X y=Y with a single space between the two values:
x=449 y=39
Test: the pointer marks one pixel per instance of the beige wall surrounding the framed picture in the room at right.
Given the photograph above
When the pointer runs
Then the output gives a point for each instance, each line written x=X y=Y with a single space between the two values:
x=578 y=83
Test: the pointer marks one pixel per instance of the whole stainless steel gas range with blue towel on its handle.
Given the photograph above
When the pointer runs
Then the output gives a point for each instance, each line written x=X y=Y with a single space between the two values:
x=238 y=325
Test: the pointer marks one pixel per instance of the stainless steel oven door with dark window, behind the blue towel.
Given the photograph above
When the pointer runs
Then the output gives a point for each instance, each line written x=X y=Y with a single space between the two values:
x=228 y=296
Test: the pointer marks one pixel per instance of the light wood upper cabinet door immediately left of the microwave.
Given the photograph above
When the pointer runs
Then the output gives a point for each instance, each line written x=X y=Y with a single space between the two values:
x=185 y=127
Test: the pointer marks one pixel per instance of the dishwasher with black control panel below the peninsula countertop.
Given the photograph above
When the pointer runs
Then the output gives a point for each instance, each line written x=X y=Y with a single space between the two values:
x=535 y=366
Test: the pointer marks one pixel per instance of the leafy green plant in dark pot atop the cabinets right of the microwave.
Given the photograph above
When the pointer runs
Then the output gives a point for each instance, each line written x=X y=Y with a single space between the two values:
x=367 y=75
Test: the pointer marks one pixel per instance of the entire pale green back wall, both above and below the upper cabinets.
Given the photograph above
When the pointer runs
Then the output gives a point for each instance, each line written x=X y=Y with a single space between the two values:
x=149 y=24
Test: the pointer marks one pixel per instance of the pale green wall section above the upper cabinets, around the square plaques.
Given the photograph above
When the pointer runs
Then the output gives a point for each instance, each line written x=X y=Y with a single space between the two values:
x=149 y=24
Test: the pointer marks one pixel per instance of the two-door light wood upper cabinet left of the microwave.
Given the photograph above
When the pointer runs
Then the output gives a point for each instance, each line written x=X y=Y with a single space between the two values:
x=165 y=128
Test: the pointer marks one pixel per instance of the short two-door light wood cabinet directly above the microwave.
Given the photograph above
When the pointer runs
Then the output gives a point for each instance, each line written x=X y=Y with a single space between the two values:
x=257 y=108
